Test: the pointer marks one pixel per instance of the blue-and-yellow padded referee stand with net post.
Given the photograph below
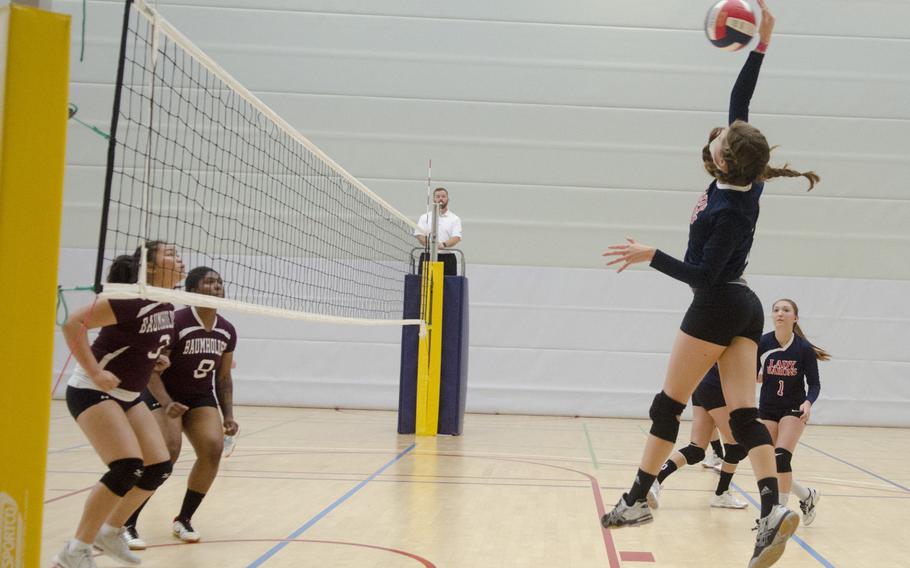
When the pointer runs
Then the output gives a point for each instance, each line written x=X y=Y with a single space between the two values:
x=434 y=366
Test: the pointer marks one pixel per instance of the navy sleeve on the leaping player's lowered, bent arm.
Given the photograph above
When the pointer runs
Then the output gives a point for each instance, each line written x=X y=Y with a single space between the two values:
x=725 y=237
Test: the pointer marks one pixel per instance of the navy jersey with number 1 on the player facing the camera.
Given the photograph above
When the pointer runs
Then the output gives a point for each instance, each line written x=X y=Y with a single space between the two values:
x=786 y=372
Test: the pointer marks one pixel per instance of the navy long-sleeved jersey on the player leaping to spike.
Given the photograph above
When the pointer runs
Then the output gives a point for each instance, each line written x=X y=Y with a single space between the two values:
x=724 y=219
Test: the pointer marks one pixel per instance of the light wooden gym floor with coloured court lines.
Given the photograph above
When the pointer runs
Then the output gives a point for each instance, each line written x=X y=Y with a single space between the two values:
x=327 y=488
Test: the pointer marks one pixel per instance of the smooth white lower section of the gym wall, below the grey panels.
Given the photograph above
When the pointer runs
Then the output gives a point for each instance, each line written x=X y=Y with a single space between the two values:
x=570 y=341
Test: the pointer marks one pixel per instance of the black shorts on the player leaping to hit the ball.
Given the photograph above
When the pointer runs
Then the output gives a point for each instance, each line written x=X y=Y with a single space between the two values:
x=719 y=314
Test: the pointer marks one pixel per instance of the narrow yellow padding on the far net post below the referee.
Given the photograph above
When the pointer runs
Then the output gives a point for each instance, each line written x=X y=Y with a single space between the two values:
x=429 y=357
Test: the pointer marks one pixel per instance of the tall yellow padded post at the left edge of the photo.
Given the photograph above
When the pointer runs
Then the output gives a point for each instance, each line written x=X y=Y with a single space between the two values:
x=32 y=152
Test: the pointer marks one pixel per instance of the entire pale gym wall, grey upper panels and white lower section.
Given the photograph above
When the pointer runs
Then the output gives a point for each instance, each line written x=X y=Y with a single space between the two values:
x=560 y=128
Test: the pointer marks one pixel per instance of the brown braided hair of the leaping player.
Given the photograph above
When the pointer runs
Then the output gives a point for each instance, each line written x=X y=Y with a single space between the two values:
x=746 y=153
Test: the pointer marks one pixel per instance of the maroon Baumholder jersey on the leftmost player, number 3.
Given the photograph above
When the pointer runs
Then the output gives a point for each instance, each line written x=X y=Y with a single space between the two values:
x=130 y=347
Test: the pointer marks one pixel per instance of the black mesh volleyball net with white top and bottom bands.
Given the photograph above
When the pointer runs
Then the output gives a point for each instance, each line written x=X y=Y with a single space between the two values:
x=196 y=160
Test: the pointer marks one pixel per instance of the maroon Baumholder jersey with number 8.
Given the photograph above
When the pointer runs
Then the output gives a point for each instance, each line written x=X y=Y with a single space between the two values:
x=196 y=355
